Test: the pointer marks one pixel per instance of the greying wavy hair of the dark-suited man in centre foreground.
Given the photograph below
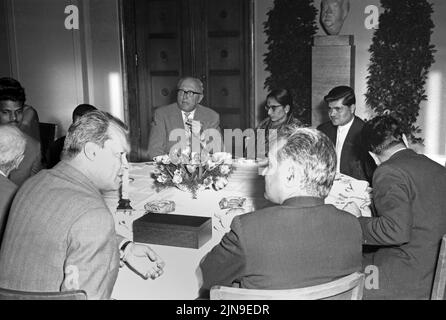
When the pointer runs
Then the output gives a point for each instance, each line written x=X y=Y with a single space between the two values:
x=314 y=152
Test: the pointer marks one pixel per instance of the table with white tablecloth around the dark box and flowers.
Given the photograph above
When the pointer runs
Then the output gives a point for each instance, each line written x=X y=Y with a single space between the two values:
x=179 y=281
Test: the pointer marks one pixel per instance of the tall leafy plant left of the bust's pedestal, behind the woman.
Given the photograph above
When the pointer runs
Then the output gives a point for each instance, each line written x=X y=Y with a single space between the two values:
x=290 y=29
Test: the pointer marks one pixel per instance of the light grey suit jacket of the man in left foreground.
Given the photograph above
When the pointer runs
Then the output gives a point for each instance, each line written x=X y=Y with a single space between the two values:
x=60 y=236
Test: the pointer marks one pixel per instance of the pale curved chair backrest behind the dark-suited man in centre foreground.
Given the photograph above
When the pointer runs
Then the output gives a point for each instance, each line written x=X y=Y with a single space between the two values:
x=350 y=287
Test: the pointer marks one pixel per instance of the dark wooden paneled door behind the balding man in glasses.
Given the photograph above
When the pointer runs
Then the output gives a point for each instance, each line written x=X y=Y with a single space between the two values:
x=169 y=39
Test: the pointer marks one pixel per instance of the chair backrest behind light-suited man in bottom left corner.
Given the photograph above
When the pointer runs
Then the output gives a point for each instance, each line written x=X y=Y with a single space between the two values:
x=6 y=294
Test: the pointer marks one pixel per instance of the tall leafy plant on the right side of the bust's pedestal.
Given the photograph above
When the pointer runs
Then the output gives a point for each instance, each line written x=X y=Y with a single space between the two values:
x=401 y=56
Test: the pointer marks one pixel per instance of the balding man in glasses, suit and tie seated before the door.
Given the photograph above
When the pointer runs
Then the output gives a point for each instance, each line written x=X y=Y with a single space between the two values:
x=186 y=114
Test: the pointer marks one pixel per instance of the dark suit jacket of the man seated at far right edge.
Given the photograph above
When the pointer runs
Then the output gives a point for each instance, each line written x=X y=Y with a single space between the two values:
x=409 y=196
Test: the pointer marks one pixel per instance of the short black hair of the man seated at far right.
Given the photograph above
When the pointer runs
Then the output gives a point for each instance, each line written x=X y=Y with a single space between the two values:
x=382 y=133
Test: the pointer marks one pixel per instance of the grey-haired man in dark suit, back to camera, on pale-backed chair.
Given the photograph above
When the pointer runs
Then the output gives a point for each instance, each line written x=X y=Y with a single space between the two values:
x=298 y=243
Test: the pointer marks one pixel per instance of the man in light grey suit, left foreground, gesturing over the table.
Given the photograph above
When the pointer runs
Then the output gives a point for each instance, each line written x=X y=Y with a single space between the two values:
x=60 y=234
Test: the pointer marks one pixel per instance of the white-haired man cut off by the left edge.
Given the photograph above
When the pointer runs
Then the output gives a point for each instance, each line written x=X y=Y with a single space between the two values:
x=12 y=148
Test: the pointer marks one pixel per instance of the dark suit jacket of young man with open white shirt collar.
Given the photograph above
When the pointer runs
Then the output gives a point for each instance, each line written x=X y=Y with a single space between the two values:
x=355 y=160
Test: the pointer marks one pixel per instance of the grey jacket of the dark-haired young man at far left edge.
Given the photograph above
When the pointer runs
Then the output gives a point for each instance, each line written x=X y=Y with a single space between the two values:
x=31 y=163
